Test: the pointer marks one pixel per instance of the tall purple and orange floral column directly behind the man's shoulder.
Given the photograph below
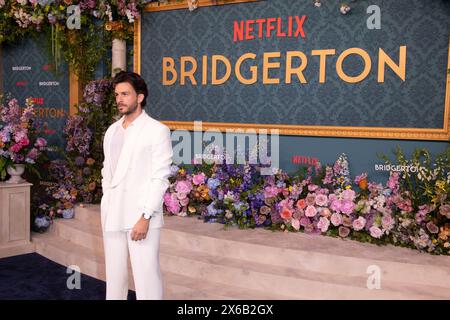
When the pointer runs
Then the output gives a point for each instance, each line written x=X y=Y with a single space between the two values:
x=78 y=175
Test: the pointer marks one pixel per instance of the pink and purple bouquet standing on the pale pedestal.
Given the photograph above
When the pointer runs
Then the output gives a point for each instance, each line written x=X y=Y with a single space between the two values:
x=20 y=142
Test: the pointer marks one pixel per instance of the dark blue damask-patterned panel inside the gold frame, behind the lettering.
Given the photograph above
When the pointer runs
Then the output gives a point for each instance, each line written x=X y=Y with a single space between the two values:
x=421 y=25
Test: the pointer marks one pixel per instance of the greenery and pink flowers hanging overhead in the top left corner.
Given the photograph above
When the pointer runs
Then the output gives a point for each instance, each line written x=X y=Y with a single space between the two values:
x=82 y=46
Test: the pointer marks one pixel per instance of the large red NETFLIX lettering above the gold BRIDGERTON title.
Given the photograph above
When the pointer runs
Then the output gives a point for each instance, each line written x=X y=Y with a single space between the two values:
x=291 y=27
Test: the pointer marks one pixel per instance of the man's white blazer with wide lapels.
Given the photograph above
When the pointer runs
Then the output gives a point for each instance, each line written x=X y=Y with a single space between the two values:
x=141 y=177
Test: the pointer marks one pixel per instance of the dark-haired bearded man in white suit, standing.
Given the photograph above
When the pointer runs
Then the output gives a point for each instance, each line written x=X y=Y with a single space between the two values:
x=138 y=155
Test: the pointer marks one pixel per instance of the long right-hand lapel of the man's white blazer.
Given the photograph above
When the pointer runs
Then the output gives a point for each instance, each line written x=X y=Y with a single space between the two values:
x=126 y=153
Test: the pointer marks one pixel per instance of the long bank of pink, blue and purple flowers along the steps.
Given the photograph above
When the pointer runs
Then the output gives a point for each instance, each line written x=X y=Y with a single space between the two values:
x=323 y=200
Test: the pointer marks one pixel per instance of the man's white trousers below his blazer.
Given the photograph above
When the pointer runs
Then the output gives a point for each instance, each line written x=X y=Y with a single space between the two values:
x=144 y=257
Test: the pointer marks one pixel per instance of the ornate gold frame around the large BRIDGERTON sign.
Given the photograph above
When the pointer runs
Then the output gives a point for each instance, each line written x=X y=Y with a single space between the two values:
x=442 y=134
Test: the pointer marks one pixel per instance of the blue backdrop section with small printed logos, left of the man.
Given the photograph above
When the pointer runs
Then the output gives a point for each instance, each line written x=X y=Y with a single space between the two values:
x=27 y=73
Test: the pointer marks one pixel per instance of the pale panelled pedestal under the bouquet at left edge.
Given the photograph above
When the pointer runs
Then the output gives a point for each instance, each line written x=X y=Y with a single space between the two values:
x=15 y=219
